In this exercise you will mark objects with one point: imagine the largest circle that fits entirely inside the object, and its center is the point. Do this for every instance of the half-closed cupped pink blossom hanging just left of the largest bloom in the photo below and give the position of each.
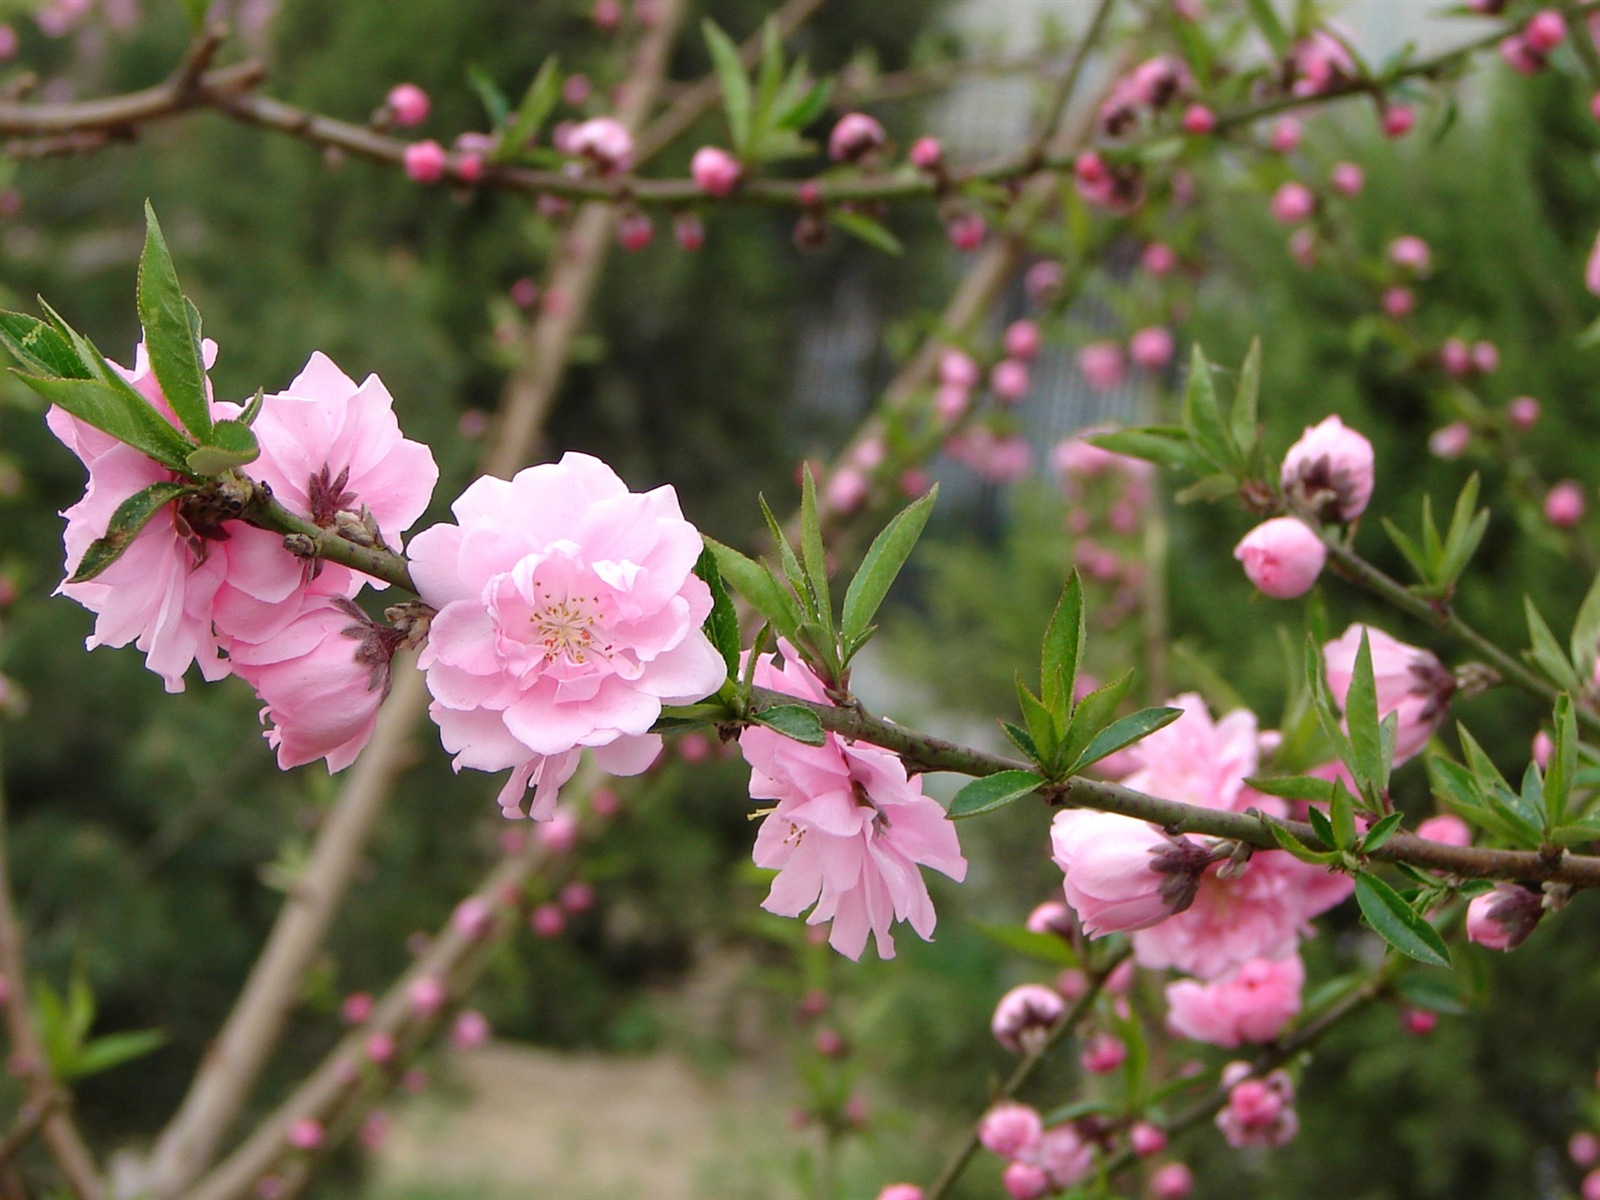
(322, 679)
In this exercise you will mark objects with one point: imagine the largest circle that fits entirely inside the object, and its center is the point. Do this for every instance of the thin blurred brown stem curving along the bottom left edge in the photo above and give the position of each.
(46, 1094)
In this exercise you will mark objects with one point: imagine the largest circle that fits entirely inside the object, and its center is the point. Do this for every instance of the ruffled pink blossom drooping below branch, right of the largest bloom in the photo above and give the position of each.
(849, 833)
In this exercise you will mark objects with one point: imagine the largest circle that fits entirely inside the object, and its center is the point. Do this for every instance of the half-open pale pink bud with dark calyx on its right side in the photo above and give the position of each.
(1124, 874)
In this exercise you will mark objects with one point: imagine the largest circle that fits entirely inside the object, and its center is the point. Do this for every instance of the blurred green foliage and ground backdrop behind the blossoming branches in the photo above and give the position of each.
(662, 1046)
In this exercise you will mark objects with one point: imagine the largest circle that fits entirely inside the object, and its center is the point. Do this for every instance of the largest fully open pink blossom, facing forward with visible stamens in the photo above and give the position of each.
(569, 614)
